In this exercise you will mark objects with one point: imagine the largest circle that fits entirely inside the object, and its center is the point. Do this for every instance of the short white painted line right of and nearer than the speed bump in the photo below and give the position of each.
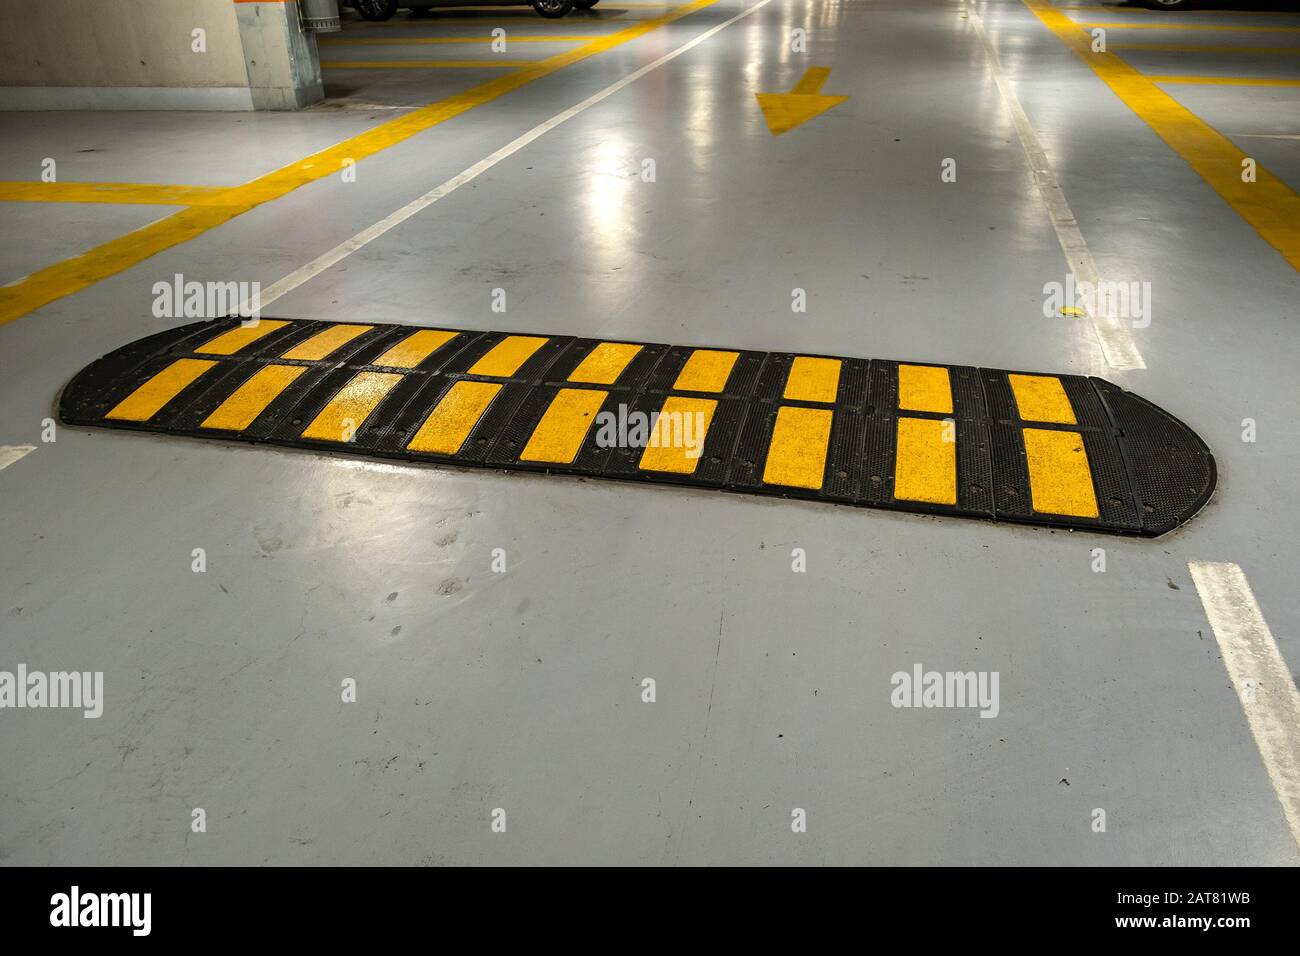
(1260, 676)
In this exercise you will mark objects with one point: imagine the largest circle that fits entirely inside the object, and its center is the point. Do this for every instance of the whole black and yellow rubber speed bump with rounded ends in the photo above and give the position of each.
(1059, 451)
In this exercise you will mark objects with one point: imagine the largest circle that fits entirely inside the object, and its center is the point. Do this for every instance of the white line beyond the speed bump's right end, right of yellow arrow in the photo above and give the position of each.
(1117, 341)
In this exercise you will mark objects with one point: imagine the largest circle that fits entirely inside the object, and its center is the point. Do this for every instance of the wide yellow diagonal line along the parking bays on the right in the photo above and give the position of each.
(1268, 205)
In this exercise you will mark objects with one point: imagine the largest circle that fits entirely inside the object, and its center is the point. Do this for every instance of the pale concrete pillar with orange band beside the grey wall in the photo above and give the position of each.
(284, 66)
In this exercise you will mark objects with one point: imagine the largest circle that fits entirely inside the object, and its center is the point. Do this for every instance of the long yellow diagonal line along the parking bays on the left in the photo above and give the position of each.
(76, 274)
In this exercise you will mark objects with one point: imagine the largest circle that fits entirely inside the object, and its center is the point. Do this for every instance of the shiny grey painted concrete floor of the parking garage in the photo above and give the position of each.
(523, 690)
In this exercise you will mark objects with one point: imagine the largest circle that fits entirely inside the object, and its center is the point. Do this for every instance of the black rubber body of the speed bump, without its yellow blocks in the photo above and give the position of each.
(1150, 471)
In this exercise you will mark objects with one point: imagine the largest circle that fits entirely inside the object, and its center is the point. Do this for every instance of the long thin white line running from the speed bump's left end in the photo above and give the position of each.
(367, 236)
